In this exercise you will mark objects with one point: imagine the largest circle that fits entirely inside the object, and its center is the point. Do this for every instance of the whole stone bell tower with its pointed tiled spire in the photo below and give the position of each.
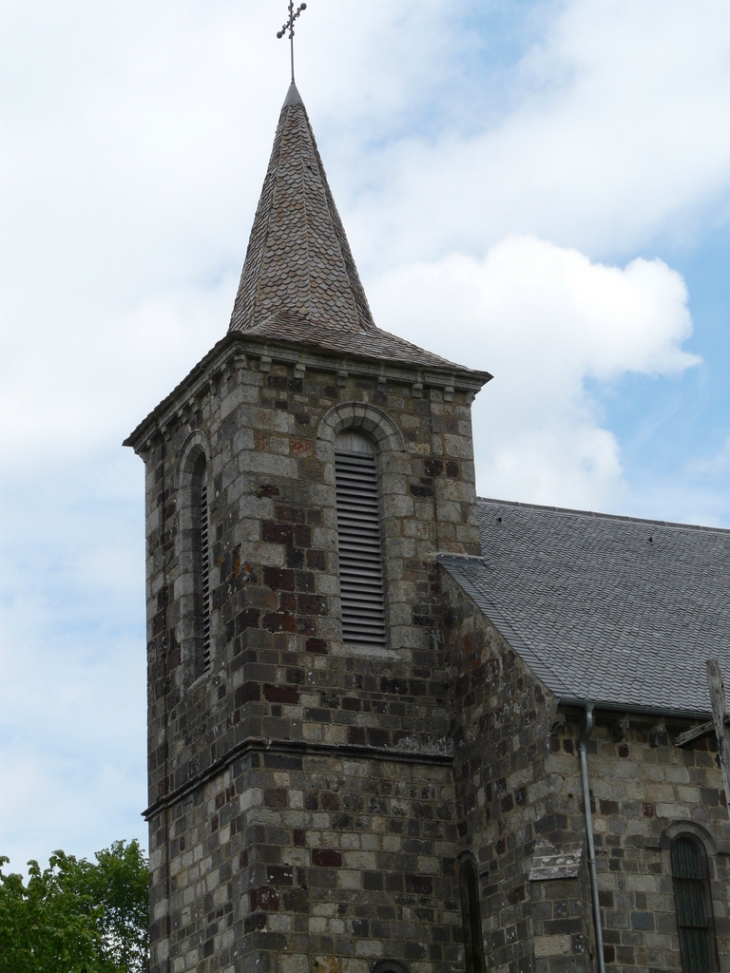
(301, 481)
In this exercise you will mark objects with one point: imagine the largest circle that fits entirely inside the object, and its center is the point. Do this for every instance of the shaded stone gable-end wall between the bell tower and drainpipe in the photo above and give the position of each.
(510, 801)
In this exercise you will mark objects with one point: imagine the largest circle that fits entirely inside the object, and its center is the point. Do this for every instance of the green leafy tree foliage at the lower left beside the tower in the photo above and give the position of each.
(77, 916)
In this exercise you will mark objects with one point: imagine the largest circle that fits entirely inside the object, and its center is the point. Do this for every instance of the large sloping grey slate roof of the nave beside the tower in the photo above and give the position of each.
(613, 610)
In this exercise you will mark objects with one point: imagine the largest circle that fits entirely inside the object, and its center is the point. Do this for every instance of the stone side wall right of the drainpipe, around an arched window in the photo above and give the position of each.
(644, 791)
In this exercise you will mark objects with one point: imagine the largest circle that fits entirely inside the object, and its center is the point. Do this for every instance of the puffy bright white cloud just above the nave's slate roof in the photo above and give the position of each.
(544, 320)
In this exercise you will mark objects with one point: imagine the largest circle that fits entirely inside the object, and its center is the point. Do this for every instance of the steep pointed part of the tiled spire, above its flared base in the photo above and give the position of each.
(299, 263)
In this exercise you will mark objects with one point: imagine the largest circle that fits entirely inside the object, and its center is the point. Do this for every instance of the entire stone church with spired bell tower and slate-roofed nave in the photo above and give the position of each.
(395, 727)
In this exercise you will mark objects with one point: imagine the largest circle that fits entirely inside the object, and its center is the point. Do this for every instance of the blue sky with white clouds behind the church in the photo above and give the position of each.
(538, 188)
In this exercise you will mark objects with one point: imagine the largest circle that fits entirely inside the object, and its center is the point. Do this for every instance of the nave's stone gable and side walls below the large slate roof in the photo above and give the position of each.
(519, 798)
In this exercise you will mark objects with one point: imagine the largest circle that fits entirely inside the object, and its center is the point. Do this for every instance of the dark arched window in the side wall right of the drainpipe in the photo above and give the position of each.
(694, 905)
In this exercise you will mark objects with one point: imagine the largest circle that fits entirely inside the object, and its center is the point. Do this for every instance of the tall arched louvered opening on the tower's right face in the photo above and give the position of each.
(359, 541)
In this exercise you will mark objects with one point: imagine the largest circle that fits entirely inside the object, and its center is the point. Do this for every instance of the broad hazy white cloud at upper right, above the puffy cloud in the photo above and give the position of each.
(612, 133)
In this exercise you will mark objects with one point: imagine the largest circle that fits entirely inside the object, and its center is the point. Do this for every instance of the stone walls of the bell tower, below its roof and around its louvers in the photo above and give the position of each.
(360, 847)
